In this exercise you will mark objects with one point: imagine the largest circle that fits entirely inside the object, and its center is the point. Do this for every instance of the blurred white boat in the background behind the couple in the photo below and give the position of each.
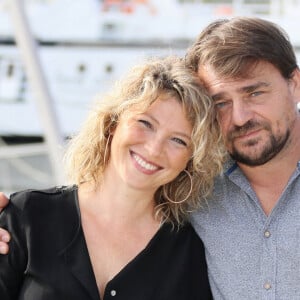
(87, 44)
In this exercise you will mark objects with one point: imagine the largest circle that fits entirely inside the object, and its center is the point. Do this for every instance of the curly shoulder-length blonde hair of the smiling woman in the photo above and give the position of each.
(89, 151)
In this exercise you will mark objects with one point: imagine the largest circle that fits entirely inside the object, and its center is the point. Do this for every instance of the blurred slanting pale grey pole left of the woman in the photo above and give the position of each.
(43, 100)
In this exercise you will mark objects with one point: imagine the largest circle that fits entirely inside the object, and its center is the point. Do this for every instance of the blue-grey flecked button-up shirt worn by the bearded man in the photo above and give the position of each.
(251, 255)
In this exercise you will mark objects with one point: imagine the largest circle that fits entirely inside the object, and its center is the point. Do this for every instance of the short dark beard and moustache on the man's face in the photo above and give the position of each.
(270, 149)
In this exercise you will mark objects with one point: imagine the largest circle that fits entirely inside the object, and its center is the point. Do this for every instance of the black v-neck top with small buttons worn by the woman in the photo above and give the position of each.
(48, 256)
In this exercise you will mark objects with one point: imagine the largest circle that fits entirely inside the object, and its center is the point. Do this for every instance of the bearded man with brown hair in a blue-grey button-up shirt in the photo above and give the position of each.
(251, 226)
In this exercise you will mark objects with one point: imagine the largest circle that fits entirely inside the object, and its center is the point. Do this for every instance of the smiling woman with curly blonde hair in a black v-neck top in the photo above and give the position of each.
(138, 166)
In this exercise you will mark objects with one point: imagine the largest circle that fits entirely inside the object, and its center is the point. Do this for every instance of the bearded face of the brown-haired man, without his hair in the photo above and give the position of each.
(256, 114)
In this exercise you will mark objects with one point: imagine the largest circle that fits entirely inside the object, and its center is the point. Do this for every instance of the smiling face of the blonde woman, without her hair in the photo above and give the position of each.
(150, 149)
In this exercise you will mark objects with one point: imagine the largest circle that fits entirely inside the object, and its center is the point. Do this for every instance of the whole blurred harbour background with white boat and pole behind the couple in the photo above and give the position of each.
(57, 55)
